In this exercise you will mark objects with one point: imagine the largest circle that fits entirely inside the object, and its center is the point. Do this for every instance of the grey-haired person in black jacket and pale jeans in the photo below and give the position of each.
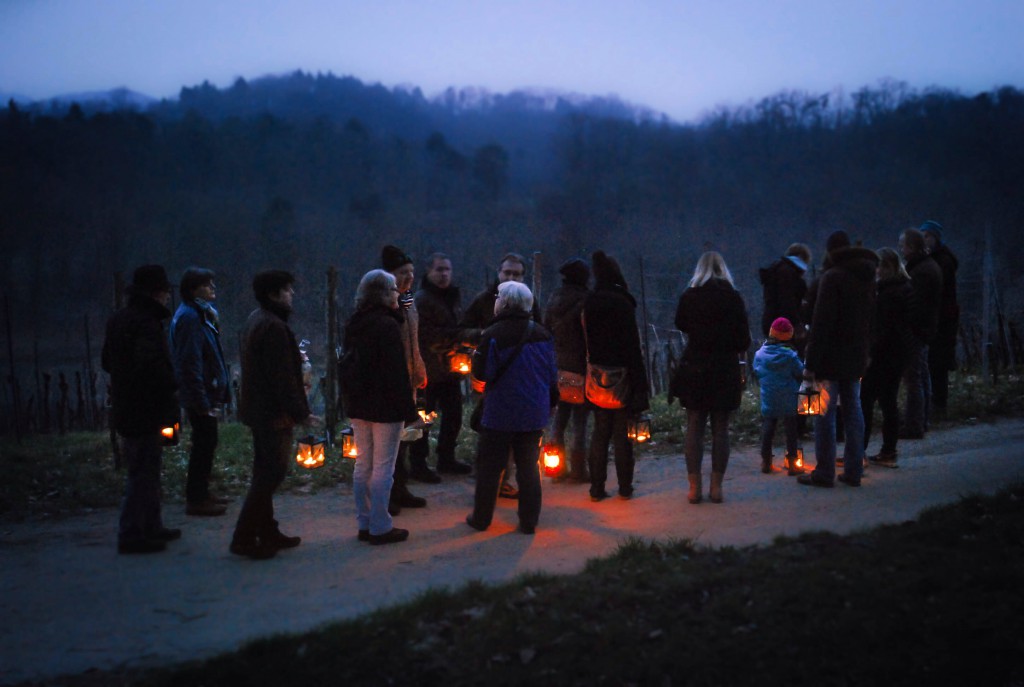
(380, 405)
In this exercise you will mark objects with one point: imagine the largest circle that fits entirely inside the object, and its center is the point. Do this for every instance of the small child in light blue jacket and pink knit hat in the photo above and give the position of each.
(780, 371)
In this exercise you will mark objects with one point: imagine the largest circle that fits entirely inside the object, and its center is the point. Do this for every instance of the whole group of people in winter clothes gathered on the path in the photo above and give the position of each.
(867, 323)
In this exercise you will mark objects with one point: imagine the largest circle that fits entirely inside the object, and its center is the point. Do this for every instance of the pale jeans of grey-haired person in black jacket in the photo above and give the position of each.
(378, 444)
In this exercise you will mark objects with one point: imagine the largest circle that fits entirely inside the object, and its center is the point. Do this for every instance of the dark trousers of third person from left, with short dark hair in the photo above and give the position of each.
(272, 456)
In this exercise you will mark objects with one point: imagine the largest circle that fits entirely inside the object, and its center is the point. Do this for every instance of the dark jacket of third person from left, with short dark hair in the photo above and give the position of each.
(273, 396)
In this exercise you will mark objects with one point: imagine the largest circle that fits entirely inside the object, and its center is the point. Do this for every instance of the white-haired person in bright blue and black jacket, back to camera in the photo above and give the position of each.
(522, 388)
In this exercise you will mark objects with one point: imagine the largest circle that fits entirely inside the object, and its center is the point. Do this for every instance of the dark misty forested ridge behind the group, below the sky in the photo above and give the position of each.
(303, 173)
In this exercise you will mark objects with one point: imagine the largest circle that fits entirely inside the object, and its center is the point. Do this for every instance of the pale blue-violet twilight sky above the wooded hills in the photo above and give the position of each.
(678, 57)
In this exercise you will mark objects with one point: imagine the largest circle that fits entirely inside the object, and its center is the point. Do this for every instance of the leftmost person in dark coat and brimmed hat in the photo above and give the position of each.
(143, 398)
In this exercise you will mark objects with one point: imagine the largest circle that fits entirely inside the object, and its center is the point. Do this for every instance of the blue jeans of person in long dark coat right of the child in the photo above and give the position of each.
(847, 393)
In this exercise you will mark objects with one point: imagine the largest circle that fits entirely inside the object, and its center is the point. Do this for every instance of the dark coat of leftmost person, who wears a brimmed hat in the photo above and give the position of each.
(137, 357)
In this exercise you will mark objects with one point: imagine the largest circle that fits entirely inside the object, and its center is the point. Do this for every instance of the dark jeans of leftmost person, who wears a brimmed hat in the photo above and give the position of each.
(141, 507)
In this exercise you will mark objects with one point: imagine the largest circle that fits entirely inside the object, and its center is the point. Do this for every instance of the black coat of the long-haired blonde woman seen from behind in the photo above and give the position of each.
(714, 319)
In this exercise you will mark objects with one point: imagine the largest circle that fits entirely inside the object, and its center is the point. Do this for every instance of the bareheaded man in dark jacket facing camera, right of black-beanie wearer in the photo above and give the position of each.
(439, 303)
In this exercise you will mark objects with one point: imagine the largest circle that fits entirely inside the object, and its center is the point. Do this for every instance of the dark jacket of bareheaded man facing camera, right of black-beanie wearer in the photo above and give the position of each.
(440, 332)
